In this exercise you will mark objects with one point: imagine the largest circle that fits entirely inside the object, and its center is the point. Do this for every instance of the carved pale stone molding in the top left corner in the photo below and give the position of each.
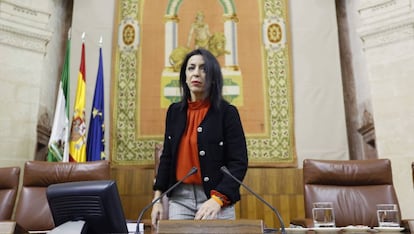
(24, 27)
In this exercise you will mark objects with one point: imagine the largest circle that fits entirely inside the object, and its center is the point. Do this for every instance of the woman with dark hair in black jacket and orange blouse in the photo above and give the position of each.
(203, 131)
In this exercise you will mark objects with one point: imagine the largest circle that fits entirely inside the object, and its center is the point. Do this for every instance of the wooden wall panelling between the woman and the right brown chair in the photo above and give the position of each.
(280, 187)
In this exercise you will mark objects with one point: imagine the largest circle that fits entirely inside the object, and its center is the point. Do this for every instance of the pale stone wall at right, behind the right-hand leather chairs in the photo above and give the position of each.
(387, 32)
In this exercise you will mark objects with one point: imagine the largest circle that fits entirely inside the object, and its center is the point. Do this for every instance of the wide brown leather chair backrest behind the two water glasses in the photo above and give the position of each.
(354, 187)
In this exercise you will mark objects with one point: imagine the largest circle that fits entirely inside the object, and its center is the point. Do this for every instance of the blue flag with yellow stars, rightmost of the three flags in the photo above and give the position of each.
(95, 147)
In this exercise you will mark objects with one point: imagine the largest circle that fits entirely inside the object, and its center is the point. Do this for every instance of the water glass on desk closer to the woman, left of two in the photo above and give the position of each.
(323, 214)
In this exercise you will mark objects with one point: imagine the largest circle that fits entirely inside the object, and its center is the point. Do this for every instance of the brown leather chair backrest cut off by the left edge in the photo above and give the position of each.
(9, 185)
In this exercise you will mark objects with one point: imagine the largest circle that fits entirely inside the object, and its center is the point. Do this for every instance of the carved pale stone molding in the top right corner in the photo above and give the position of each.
(385, 22)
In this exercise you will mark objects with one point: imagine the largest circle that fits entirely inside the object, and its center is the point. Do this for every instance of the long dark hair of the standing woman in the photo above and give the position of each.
(214, 77)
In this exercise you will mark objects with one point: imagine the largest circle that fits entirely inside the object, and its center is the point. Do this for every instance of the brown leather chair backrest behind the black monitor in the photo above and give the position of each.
(32, 211)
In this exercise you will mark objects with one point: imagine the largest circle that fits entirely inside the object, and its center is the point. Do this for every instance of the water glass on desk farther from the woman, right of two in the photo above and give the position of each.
(388, 215)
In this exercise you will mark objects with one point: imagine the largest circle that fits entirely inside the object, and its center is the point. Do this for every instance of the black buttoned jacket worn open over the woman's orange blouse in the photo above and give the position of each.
(221, 142)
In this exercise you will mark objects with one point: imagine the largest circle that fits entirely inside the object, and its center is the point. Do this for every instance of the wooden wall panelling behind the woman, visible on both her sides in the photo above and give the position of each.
(280, 187)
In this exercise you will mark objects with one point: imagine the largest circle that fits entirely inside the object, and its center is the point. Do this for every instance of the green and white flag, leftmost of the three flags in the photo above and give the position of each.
(59, 137)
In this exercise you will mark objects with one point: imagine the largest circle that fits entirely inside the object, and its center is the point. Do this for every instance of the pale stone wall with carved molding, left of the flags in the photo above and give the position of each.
(31, 47)
